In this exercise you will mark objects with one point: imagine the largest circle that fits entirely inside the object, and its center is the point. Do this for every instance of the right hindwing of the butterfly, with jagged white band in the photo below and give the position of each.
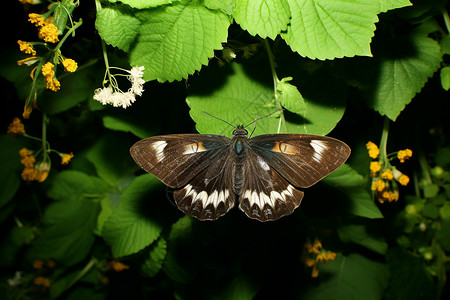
(265, 195)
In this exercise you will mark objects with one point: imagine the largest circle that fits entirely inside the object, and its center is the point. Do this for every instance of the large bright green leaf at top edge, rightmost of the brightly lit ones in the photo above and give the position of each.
(328, 29)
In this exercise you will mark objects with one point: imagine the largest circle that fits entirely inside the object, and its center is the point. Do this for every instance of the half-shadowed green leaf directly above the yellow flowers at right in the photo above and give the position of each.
(399, 71)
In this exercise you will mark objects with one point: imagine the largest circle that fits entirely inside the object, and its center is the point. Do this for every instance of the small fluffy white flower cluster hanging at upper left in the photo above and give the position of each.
(114, 96)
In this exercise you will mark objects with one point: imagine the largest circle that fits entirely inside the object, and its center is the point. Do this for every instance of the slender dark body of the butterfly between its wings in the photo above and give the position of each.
(239, 144)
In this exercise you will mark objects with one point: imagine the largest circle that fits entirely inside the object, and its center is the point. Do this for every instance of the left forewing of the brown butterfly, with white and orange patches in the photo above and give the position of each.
(176, 159)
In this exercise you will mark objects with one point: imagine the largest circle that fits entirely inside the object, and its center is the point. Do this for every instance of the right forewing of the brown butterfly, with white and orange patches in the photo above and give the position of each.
(302, 160)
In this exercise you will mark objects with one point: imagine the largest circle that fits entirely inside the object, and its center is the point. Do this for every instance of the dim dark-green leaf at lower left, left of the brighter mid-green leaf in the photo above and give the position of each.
(68, 235)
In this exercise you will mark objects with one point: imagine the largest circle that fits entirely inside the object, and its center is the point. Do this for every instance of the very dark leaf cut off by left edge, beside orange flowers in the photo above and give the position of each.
(11, 168)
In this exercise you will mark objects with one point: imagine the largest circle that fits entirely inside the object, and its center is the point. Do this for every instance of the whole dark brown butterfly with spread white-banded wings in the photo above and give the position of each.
(265, 172)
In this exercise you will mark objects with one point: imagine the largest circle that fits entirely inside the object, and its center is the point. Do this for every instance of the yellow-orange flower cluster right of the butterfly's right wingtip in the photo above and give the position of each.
(385, 176)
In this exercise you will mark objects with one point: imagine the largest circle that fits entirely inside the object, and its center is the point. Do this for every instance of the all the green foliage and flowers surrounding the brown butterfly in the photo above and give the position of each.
(81, 220)
